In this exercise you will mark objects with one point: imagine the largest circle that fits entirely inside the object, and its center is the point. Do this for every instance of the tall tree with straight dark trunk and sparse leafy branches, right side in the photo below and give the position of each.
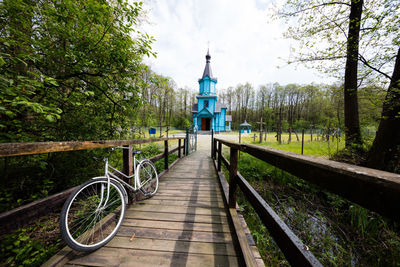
(345, 33)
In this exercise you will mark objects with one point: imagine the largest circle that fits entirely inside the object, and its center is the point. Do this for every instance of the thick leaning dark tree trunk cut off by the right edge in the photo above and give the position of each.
(385, 151)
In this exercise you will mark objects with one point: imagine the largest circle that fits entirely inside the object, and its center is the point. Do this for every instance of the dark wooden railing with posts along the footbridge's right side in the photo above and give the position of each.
(376, 190)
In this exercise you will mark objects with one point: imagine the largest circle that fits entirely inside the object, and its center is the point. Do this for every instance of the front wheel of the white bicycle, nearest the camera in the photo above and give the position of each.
(88, 220)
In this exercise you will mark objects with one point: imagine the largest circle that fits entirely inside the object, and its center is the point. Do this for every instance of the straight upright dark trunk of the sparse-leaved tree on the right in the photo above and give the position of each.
(351, 119)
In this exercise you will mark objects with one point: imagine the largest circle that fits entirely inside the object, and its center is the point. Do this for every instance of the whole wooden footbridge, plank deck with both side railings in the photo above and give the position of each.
(193, 220)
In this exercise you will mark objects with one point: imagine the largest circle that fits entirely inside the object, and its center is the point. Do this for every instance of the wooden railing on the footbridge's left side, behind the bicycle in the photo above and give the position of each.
(20, 216)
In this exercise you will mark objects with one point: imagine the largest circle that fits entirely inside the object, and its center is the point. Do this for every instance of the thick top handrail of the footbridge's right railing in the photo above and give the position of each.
(376, 190)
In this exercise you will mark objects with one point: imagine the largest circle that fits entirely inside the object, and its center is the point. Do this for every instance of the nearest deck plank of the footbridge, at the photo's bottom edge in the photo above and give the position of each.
(131, 257)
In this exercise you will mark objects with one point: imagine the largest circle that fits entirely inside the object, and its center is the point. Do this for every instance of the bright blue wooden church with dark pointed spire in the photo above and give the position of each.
(208, 113)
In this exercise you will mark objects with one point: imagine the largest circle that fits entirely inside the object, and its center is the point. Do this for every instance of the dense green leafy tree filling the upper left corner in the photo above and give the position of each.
(76, 75)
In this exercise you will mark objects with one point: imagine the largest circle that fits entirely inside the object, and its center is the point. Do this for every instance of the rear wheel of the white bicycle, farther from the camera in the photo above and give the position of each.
(148, 178)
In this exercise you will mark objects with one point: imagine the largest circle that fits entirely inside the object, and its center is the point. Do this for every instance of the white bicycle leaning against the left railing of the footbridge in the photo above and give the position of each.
(94, 212)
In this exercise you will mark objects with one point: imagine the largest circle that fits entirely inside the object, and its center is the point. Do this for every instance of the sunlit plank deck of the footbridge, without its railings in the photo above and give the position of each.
(184, 224)
